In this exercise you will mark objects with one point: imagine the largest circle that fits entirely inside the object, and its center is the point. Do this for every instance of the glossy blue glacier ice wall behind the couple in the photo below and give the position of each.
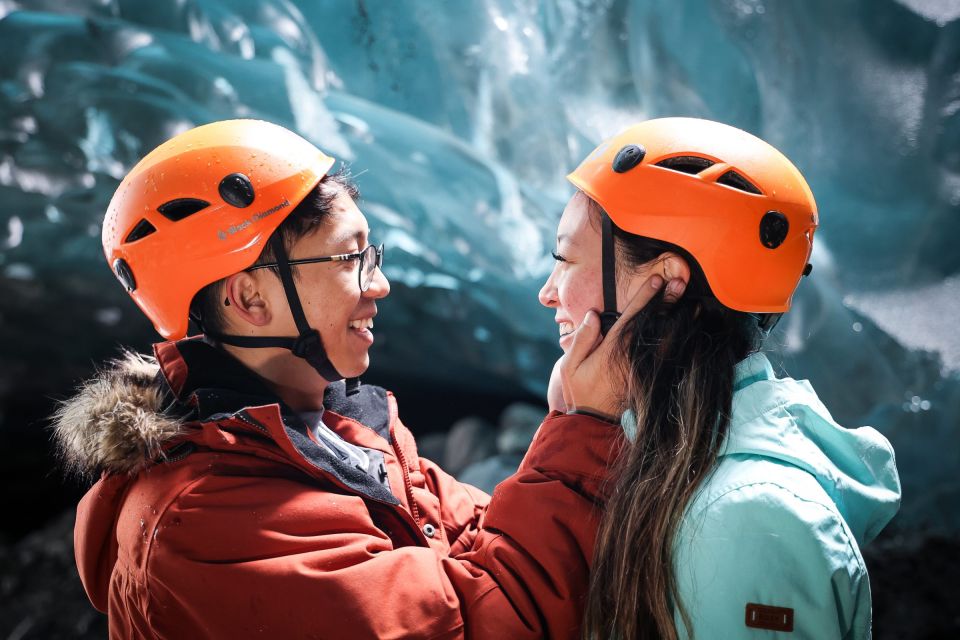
(460, 120)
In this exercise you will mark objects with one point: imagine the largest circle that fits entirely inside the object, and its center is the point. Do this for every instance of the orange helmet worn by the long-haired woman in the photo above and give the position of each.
(730, 199)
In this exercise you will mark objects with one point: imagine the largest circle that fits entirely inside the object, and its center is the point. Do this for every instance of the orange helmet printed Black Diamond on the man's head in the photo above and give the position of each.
(201, 207)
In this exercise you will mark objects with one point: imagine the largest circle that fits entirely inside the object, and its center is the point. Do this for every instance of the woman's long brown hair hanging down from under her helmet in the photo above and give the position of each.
(679, 361)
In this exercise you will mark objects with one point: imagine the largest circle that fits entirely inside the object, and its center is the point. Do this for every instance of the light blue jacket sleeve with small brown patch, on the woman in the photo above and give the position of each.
(761, 544)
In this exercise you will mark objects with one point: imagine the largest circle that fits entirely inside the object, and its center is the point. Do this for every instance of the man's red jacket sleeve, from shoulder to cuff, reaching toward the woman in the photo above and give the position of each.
(237, 557)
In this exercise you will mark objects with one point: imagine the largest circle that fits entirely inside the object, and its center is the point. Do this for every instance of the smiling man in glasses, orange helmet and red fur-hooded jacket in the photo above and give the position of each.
(245, 489)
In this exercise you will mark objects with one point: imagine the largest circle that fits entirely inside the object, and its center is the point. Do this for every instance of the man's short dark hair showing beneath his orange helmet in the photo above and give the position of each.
(206, 309)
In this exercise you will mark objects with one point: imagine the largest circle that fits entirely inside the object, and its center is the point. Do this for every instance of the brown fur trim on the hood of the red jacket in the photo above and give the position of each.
(115, 423)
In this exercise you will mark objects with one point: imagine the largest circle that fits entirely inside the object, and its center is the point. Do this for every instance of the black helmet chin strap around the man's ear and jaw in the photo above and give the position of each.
(308, 345)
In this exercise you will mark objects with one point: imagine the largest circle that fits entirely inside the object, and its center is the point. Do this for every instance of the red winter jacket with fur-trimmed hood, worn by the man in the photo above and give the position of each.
(218, 515)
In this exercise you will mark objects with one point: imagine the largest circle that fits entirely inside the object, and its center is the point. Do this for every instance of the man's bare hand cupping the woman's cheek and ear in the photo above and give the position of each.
(588, 379)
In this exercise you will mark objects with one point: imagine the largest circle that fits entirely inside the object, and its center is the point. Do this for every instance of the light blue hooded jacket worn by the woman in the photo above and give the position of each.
(781, 520)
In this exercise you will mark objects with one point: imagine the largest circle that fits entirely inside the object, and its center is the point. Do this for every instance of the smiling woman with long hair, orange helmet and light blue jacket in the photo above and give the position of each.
(738, 504)
